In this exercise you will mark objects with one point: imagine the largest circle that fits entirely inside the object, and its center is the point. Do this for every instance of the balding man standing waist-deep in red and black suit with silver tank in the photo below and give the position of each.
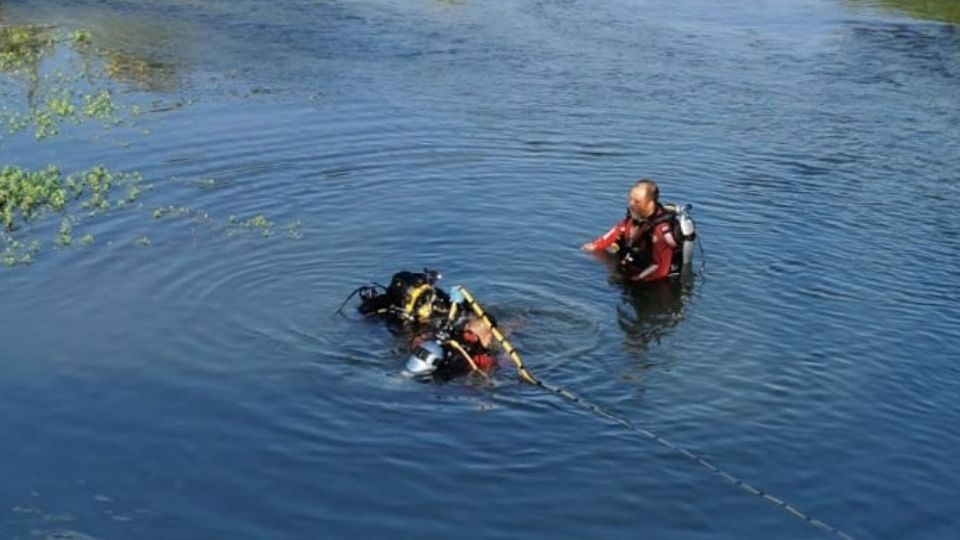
(654, 241)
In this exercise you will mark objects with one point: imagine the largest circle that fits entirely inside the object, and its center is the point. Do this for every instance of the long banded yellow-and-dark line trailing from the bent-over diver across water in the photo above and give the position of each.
(528, 377)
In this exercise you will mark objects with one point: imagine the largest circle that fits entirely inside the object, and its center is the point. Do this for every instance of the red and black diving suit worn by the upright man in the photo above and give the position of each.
(648, 249)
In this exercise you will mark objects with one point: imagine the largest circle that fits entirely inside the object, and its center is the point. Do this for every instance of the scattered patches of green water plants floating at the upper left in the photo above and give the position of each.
(77, 85)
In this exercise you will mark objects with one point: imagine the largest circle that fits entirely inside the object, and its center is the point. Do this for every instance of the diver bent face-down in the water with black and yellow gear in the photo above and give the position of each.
(449, 334)
